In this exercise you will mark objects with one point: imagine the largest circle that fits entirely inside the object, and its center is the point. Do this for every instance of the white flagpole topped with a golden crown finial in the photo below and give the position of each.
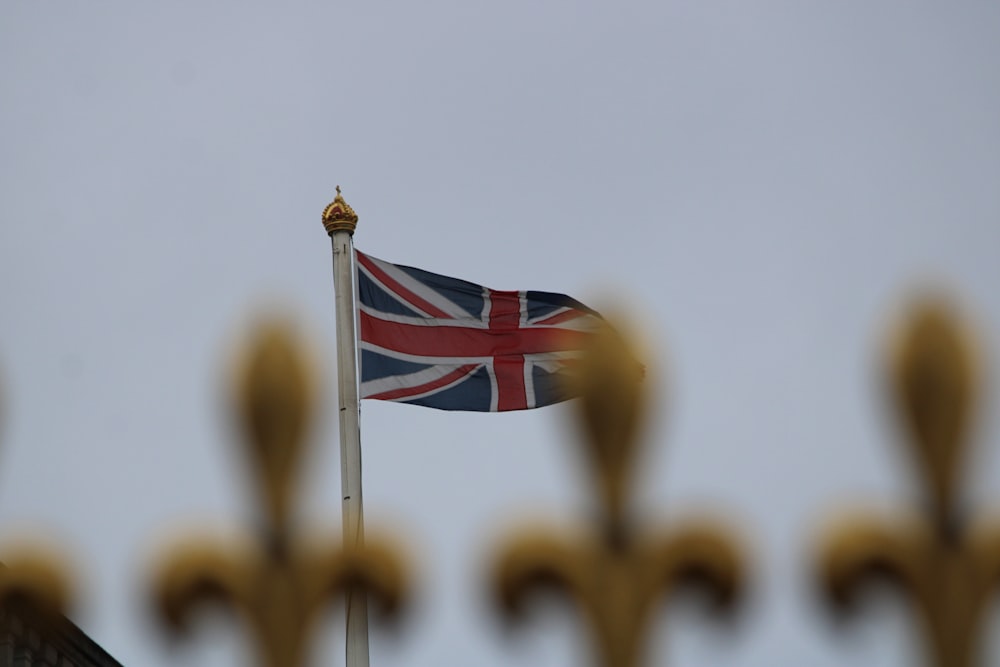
(340, 221)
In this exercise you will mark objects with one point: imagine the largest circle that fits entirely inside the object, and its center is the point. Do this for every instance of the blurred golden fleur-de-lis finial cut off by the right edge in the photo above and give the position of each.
(948, 566)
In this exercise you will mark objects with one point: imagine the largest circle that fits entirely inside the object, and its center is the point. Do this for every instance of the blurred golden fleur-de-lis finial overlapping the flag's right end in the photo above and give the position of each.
(616, 573)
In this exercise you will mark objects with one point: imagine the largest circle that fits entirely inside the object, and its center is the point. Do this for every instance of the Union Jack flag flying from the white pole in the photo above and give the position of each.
(449, 344)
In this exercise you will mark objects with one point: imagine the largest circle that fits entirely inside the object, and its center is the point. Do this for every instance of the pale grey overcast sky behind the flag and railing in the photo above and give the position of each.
(762, 183)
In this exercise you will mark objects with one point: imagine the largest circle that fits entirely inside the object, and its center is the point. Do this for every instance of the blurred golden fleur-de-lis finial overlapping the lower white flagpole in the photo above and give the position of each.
(281, 582)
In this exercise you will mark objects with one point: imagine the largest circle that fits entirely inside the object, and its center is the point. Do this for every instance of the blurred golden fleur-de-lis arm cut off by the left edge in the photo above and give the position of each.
(34, 582)
